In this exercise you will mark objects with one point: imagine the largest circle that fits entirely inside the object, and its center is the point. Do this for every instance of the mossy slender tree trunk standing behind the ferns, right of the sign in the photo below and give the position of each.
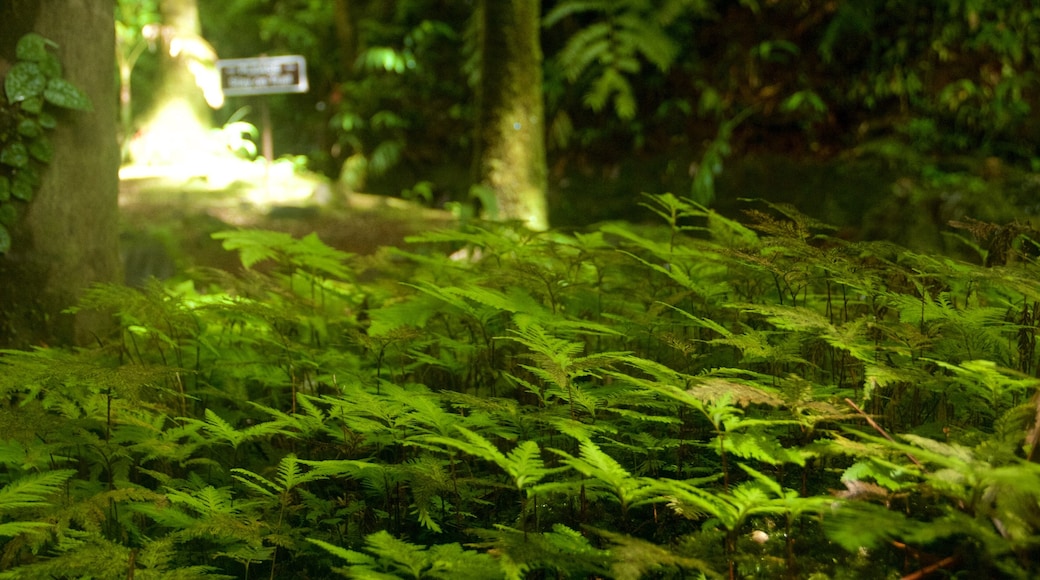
(510, 145)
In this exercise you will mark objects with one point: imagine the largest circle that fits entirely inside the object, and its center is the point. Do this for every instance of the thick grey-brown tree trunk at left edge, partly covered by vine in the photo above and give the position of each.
(68, 238)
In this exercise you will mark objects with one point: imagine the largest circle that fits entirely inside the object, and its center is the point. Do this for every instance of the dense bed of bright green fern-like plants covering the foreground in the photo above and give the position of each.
(701, 400)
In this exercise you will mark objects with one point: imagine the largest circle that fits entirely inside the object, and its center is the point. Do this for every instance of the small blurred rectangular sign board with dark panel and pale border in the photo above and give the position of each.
(266, 75)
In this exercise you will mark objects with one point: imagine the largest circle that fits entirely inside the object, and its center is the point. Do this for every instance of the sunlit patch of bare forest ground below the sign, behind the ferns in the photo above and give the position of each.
(168, 218)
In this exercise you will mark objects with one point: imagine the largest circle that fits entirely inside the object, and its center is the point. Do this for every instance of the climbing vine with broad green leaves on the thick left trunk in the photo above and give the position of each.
(33, 84)
